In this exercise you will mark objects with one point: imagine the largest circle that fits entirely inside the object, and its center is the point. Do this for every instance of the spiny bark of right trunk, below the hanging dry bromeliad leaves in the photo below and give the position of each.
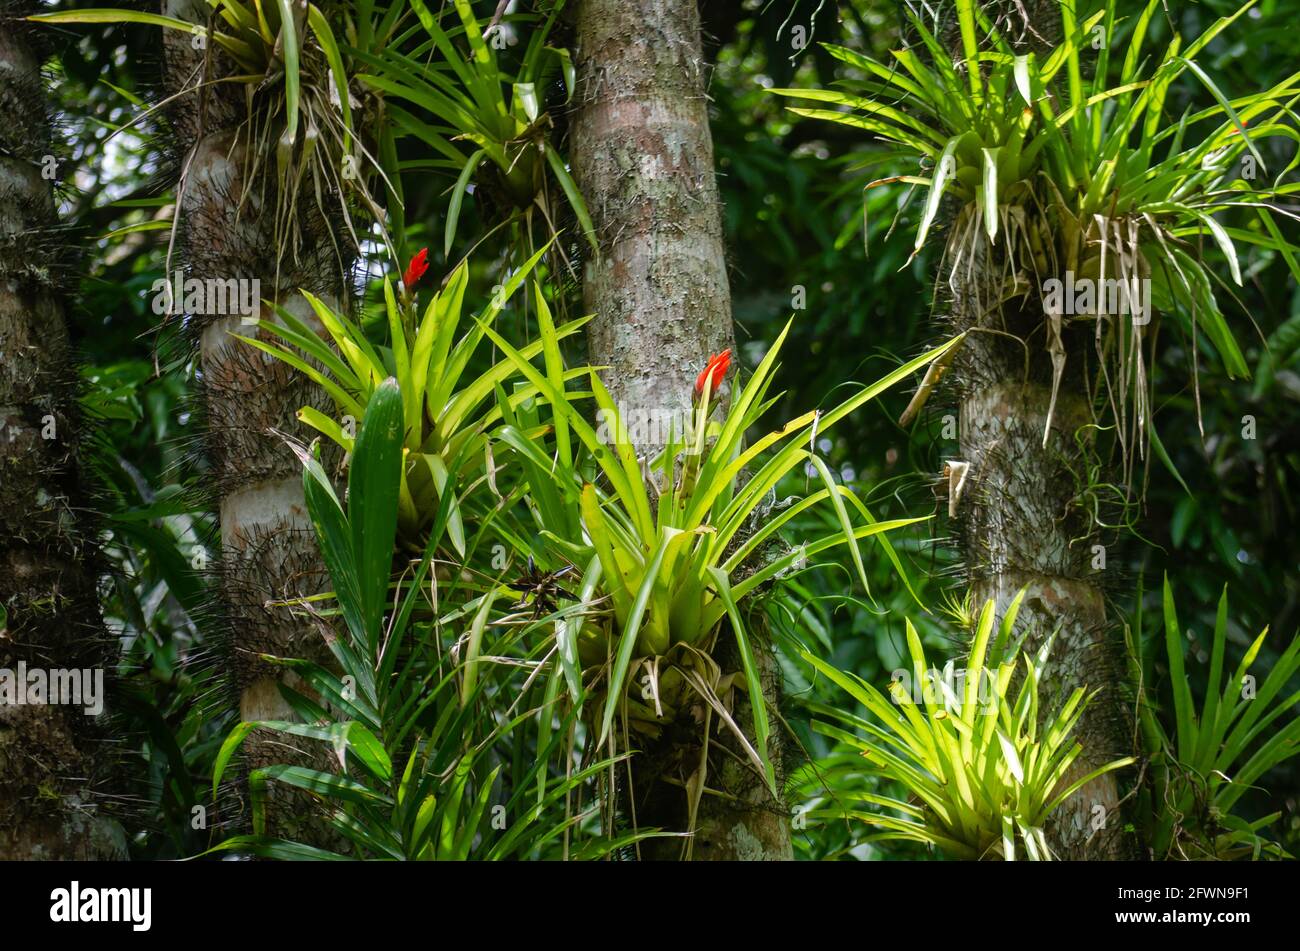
(1021, 528)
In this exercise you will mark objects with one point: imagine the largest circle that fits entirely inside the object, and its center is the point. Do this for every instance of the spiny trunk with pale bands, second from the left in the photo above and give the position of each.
(227, 211)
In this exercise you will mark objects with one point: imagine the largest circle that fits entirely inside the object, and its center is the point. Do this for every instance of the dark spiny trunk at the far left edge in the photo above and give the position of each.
(53, 757)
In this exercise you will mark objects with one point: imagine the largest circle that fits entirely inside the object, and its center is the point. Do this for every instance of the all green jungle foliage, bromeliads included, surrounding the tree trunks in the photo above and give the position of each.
(521, 606)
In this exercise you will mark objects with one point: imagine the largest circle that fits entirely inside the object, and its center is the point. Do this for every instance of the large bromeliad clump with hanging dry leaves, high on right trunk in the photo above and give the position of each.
(1059, 173)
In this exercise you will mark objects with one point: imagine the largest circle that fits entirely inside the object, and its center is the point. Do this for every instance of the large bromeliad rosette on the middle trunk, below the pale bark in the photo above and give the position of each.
(666, 550)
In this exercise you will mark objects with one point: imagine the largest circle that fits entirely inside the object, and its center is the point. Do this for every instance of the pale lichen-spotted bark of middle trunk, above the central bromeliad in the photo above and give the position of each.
(644, 157)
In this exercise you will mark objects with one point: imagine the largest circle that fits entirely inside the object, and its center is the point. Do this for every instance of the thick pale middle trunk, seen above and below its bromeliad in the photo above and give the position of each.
(643, 155)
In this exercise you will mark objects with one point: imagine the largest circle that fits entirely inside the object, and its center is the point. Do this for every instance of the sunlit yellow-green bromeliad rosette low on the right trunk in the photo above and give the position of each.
(983, 767)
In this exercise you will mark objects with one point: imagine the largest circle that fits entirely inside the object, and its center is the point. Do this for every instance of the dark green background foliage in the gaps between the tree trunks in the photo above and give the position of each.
(803, 237)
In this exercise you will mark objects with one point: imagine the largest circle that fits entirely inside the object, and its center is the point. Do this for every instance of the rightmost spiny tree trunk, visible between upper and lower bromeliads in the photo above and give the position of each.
(1021, 520)
